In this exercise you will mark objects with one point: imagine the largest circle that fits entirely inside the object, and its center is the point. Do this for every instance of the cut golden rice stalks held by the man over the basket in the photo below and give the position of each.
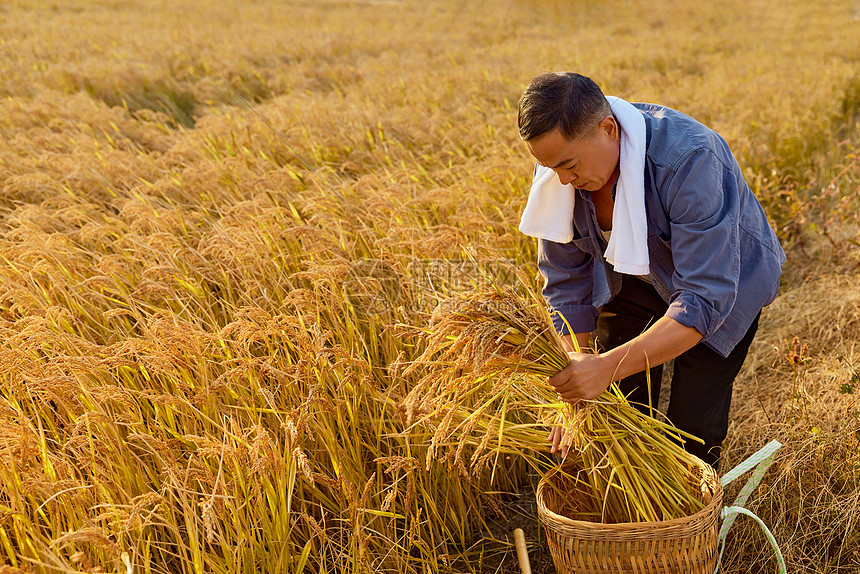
(626, 466)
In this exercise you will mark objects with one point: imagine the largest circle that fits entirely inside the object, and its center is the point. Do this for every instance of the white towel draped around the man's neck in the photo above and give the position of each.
(549, 209)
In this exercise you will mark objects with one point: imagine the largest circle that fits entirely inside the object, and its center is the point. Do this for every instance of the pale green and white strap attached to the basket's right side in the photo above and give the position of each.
(758, 463)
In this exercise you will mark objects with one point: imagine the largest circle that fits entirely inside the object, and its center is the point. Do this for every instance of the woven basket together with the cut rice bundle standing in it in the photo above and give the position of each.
(622, 467)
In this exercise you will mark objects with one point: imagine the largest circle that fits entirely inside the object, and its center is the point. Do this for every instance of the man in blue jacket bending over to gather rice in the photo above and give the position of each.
(650, 239)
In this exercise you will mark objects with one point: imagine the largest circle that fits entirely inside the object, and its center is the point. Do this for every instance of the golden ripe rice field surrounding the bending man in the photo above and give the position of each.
(223, 226)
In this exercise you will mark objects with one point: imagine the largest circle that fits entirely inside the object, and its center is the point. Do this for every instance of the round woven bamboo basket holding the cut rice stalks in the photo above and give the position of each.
(685, 545)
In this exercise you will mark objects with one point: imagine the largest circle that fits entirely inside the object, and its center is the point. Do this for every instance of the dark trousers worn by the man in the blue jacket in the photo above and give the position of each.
(701, 392)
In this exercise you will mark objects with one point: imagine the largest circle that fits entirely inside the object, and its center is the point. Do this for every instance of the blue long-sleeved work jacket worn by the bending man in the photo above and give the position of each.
(714, 258)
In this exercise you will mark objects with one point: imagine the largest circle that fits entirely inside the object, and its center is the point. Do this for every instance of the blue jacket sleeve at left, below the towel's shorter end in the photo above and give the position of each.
(568, 285)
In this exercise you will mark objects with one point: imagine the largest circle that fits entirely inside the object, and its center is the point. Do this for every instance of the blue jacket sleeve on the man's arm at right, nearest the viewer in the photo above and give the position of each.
(703, 207)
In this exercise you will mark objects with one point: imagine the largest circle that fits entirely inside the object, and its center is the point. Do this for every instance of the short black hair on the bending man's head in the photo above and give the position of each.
(571, 102)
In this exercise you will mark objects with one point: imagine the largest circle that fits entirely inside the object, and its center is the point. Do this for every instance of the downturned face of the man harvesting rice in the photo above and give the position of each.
(587, 163)
